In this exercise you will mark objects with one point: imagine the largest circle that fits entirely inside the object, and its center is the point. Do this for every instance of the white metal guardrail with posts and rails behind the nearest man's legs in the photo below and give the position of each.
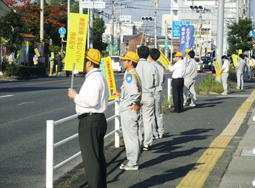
(50, 124)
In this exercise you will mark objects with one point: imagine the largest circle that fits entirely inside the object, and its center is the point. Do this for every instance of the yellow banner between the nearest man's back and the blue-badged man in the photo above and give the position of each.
(107, 72)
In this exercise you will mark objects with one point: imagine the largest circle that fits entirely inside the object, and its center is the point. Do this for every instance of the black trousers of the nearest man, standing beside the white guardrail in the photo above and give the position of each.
(92, 129)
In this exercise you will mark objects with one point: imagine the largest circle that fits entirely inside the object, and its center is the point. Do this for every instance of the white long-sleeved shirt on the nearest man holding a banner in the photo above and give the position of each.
(93, 95)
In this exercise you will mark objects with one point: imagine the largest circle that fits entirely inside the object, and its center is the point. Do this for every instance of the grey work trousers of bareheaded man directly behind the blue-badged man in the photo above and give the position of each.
(146, 120)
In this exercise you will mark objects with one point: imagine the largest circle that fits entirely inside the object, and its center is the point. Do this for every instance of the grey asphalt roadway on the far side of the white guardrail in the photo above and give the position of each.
(24, 108)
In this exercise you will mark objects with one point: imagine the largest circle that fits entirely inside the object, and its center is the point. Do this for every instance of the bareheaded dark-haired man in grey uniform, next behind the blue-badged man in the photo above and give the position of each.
(149, 76)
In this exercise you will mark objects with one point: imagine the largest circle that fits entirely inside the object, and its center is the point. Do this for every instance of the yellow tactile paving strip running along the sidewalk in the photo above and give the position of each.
(199, 173)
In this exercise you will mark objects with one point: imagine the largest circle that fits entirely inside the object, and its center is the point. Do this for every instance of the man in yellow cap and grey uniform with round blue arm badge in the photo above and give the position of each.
(129, 110)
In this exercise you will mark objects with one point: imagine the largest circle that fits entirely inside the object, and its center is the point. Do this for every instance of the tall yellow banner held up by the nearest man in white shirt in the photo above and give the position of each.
(76, 41)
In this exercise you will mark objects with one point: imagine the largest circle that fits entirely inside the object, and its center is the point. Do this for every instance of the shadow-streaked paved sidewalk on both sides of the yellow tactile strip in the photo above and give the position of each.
(187, 136)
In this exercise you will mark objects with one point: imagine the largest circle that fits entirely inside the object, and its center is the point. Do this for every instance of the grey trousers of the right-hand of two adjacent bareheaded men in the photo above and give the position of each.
(158, 126)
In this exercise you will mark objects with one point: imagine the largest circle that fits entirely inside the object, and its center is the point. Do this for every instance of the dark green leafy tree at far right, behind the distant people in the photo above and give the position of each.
(239, 35)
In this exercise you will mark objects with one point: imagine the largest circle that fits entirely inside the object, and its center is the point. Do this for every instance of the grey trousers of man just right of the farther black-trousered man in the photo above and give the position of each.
(189, 85)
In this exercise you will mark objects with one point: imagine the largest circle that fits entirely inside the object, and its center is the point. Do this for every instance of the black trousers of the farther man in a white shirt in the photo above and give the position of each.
(178, 84)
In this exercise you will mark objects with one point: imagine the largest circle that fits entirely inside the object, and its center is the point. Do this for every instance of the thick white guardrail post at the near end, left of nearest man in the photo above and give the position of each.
(49, 153)
